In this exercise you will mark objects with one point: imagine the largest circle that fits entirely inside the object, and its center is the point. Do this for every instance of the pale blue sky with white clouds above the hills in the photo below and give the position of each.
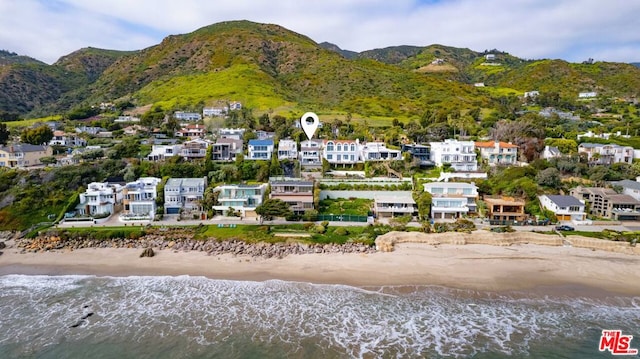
(574, 30)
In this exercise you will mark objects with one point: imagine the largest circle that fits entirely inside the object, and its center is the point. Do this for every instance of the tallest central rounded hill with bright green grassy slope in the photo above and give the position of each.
(267, 66)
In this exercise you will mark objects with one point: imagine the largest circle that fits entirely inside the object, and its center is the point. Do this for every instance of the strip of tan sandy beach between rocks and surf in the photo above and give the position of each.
(470, 266)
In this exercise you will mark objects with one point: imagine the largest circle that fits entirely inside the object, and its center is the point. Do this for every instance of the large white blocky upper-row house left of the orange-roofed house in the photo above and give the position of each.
(460, 155)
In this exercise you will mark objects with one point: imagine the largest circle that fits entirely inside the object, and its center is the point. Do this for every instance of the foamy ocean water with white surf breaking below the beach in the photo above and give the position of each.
(196, 317)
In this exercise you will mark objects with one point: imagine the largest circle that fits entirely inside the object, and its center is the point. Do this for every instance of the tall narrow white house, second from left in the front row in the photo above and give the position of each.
(139, 199)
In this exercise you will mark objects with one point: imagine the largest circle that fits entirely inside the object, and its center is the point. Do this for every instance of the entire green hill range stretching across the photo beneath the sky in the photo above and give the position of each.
(268, 67)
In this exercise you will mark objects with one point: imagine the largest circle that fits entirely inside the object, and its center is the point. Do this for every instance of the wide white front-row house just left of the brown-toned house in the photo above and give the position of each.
(242, 198)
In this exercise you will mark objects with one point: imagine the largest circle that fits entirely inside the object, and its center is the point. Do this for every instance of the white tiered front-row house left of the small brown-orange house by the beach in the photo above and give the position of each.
(452, 199)
